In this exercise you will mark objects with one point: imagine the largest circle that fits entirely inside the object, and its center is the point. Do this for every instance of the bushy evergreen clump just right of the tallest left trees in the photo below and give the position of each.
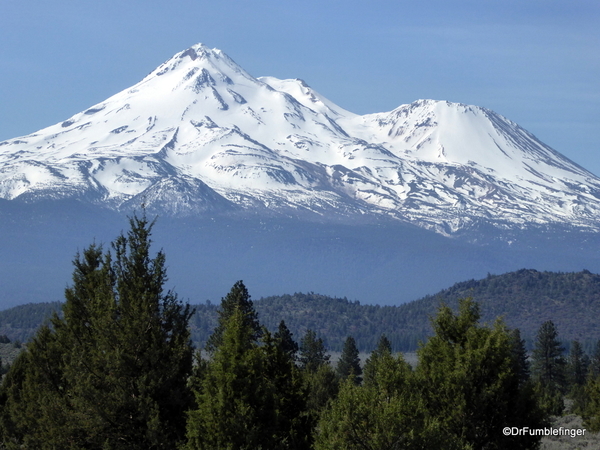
(250, 394)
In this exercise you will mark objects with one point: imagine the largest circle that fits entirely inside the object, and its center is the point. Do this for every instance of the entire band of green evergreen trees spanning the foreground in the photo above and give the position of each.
(118, 370)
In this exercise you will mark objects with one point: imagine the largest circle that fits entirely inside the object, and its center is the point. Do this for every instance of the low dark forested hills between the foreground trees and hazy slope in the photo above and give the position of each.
(525, 299)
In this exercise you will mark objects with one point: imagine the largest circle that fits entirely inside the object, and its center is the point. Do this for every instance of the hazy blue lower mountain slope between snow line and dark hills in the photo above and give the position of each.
(377, 263)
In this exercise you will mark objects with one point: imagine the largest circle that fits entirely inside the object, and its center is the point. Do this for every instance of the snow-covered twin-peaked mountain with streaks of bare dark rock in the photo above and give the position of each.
(199, 136)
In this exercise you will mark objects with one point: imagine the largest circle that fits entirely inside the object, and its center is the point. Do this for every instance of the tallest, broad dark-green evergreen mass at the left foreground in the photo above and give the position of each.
(112, 373)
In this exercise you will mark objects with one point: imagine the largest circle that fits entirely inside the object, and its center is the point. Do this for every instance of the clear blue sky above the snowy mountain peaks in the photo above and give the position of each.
(536, 62)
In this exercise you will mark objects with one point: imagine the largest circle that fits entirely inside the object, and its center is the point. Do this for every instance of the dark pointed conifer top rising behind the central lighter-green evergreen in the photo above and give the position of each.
(237, 298)
